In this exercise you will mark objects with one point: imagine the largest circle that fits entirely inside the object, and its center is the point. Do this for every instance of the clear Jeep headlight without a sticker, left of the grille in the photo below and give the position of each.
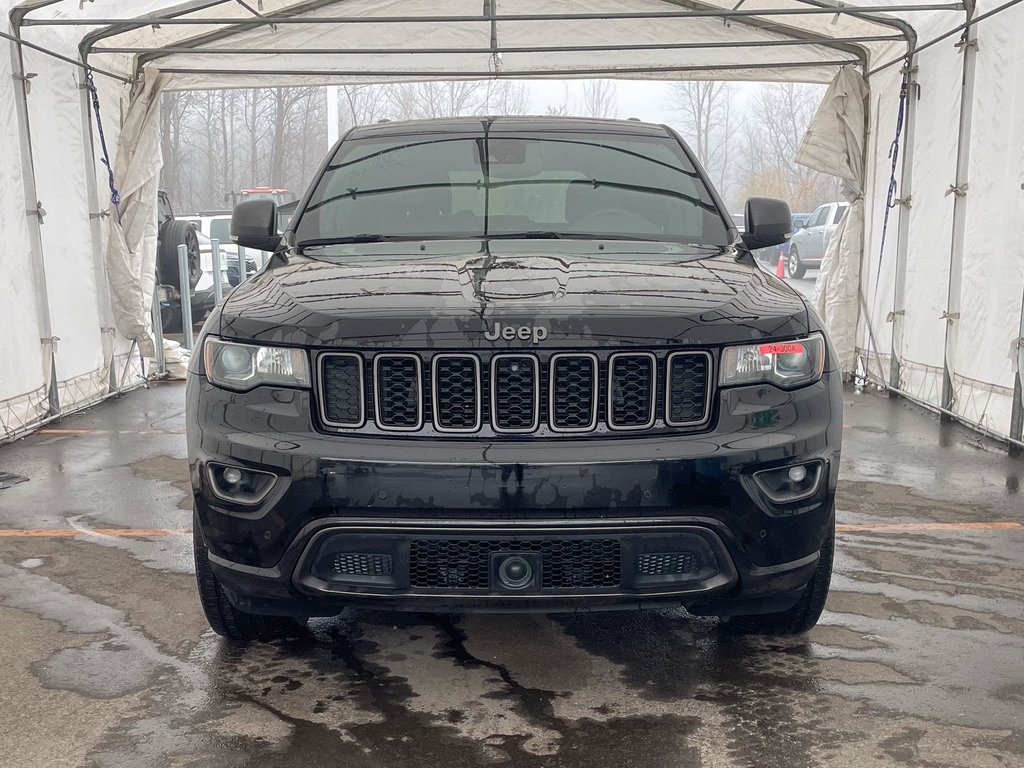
(243, 367)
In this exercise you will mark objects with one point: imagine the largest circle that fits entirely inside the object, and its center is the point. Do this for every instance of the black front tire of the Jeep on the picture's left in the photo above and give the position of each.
(225, 619)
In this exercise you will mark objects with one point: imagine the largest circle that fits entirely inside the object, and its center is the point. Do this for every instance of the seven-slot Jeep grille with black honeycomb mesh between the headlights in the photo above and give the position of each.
(557, 394)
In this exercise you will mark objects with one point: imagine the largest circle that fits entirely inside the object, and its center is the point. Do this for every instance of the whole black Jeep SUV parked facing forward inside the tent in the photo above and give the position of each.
(505, 364)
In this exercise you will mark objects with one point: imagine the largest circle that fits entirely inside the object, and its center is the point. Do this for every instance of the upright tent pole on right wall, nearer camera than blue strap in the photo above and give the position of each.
(969, 50)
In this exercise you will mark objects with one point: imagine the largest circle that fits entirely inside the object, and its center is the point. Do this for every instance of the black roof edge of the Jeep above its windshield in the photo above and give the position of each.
(540, 123)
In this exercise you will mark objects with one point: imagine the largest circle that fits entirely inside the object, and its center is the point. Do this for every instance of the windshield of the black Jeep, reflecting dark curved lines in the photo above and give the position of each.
(543, 185)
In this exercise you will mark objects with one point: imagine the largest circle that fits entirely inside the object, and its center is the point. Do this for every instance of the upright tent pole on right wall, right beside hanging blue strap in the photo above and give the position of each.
(904, 231)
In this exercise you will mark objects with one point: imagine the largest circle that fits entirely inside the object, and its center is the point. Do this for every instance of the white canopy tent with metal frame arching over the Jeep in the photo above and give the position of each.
(923, 289)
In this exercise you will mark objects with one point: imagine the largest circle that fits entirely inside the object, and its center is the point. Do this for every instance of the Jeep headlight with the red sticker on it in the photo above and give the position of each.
(786, 364)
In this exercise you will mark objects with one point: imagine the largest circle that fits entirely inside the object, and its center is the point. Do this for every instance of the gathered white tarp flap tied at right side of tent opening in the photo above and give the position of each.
(835, 145)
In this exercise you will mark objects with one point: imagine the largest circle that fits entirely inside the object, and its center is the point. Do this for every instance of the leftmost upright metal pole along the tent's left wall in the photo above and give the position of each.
(35, 230)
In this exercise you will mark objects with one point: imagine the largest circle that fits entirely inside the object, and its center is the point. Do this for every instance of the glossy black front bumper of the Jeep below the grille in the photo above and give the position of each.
(381, 496)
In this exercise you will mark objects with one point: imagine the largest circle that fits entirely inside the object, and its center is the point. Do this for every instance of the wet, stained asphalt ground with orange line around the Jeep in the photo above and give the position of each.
(107, 660)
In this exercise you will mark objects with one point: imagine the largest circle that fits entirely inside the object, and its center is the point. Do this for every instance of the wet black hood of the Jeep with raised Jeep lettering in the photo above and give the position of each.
(450, 294)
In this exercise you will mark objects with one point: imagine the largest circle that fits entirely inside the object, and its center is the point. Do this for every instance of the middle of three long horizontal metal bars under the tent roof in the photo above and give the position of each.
(170, 51)
